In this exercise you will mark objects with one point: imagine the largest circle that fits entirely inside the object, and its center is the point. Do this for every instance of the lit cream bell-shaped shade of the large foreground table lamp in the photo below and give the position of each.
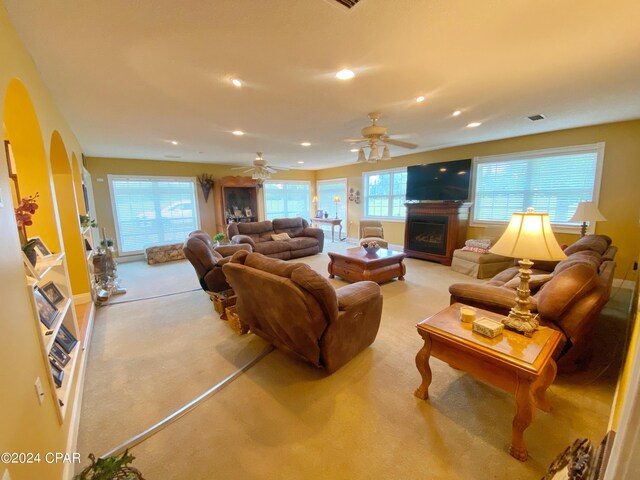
(529, 235)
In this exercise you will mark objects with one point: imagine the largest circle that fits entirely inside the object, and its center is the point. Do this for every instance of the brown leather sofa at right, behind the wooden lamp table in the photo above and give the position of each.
(568, 295)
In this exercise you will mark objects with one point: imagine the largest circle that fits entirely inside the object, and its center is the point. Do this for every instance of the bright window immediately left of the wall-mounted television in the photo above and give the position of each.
(384, 193)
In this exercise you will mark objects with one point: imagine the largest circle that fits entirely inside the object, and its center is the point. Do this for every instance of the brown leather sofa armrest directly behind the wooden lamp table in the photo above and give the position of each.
(490, 297)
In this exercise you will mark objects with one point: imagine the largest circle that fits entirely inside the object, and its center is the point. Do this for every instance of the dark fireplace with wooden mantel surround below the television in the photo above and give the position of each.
(434, 230)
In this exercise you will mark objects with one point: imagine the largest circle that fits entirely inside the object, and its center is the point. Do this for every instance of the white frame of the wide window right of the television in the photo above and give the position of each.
(599, 149)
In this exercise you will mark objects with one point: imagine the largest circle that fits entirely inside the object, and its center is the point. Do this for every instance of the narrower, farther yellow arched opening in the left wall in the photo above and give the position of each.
(67, 204)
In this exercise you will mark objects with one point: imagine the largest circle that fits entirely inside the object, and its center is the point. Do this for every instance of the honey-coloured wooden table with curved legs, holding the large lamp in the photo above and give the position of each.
(517, 364)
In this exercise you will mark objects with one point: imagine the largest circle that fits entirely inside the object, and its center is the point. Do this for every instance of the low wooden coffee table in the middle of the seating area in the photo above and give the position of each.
(355, 264)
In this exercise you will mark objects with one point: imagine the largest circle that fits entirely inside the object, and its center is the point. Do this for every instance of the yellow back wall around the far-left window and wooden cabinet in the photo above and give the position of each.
(101, 167)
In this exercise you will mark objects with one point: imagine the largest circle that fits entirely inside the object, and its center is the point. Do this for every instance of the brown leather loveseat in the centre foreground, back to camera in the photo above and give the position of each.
(298, 311)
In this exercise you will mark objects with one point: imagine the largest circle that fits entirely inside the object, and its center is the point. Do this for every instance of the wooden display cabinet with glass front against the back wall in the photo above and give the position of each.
(236, 201)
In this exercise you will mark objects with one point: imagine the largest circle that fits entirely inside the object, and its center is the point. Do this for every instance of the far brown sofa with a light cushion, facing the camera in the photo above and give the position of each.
(304, 240)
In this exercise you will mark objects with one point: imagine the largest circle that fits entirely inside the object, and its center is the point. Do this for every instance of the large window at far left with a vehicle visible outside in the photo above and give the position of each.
(152, 210)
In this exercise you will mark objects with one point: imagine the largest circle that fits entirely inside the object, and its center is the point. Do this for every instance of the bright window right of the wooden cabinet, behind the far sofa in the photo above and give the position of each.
(286, 199)
